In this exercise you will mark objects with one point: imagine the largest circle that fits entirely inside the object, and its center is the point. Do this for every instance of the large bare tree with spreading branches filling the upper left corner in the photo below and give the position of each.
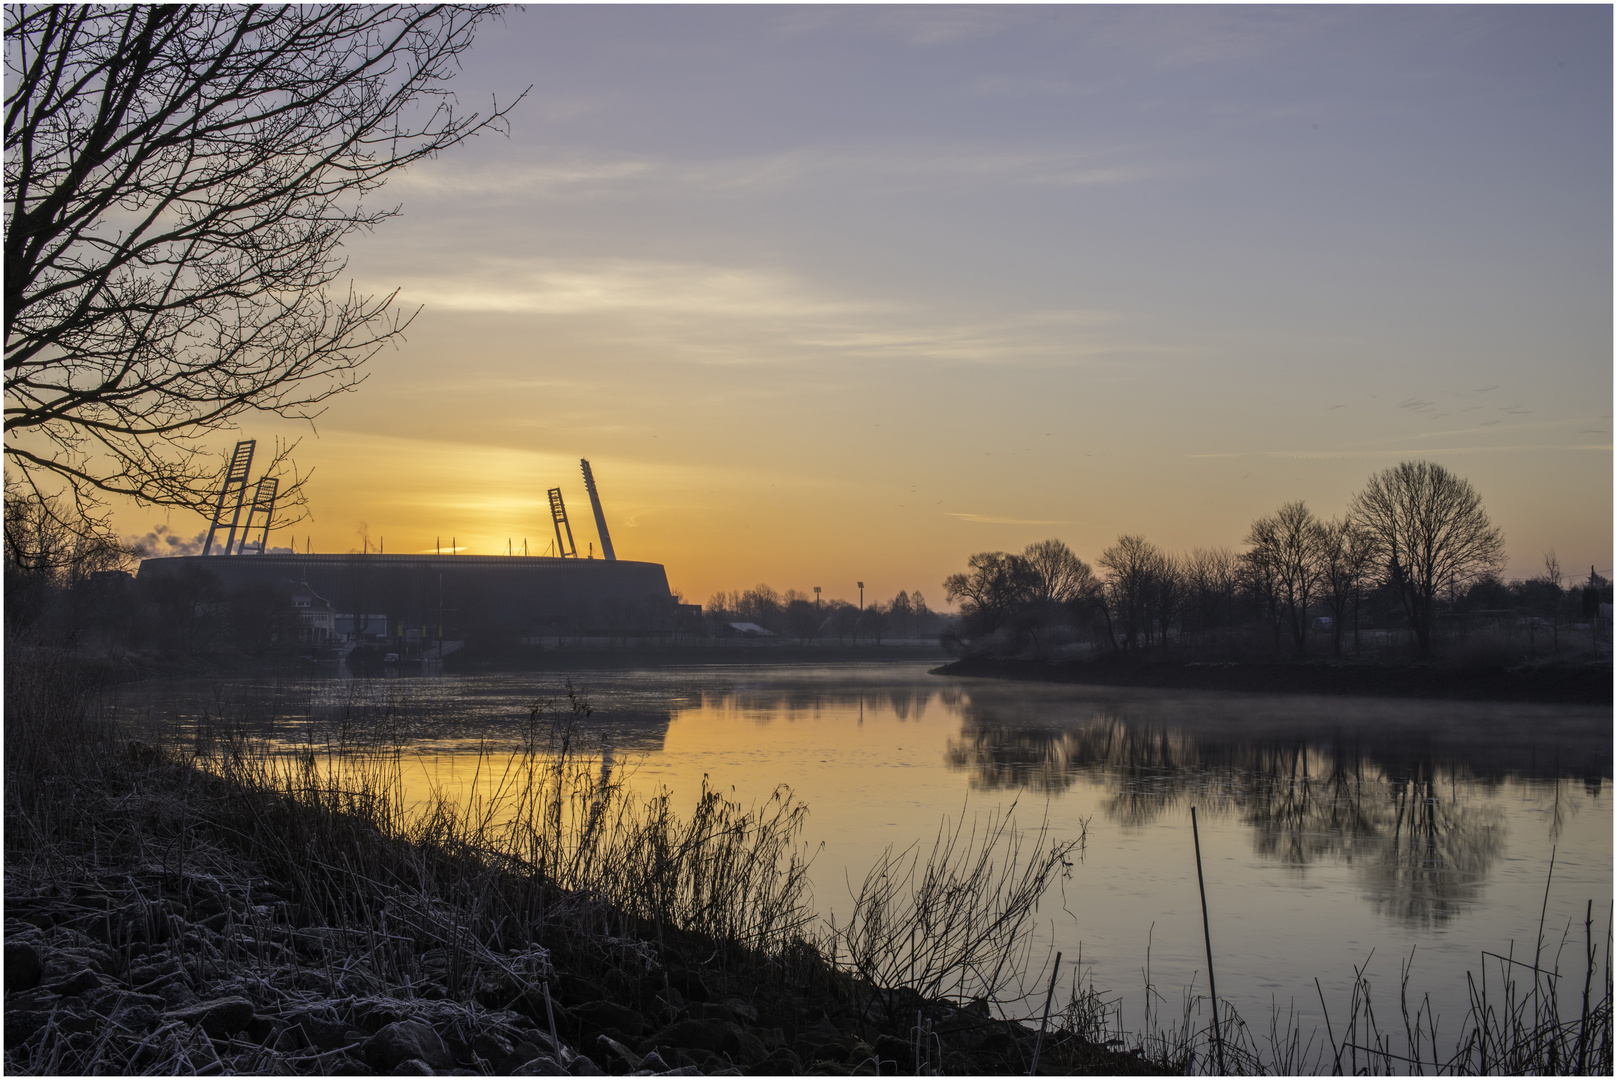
(179, 185)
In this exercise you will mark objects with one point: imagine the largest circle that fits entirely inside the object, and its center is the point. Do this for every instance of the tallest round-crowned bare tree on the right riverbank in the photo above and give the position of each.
(1430, 533)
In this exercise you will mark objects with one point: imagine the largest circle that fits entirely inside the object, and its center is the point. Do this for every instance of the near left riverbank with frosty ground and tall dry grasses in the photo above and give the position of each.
(211, 909)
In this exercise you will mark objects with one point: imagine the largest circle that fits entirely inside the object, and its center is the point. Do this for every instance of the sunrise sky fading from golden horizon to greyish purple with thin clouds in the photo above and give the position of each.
(848, 293)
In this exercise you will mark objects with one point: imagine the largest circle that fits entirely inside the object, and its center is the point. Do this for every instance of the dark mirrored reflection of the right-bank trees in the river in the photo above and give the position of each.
(1419, 851)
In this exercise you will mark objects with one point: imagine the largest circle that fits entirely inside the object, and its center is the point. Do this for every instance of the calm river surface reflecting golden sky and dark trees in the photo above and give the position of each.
(1335, 832)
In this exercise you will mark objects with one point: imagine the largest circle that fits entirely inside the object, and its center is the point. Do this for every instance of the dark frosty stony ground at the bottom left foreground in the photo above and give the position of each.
(143, 969)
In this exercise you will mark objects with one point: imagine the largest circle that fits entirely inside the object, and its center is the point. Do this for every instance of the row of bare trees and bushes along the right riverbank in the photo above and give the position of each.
(1416, 546)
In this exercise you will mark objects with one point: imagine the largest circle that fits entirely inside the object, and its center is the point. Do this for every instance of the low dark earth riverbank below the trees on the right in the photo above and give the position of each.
(1545, 683)
